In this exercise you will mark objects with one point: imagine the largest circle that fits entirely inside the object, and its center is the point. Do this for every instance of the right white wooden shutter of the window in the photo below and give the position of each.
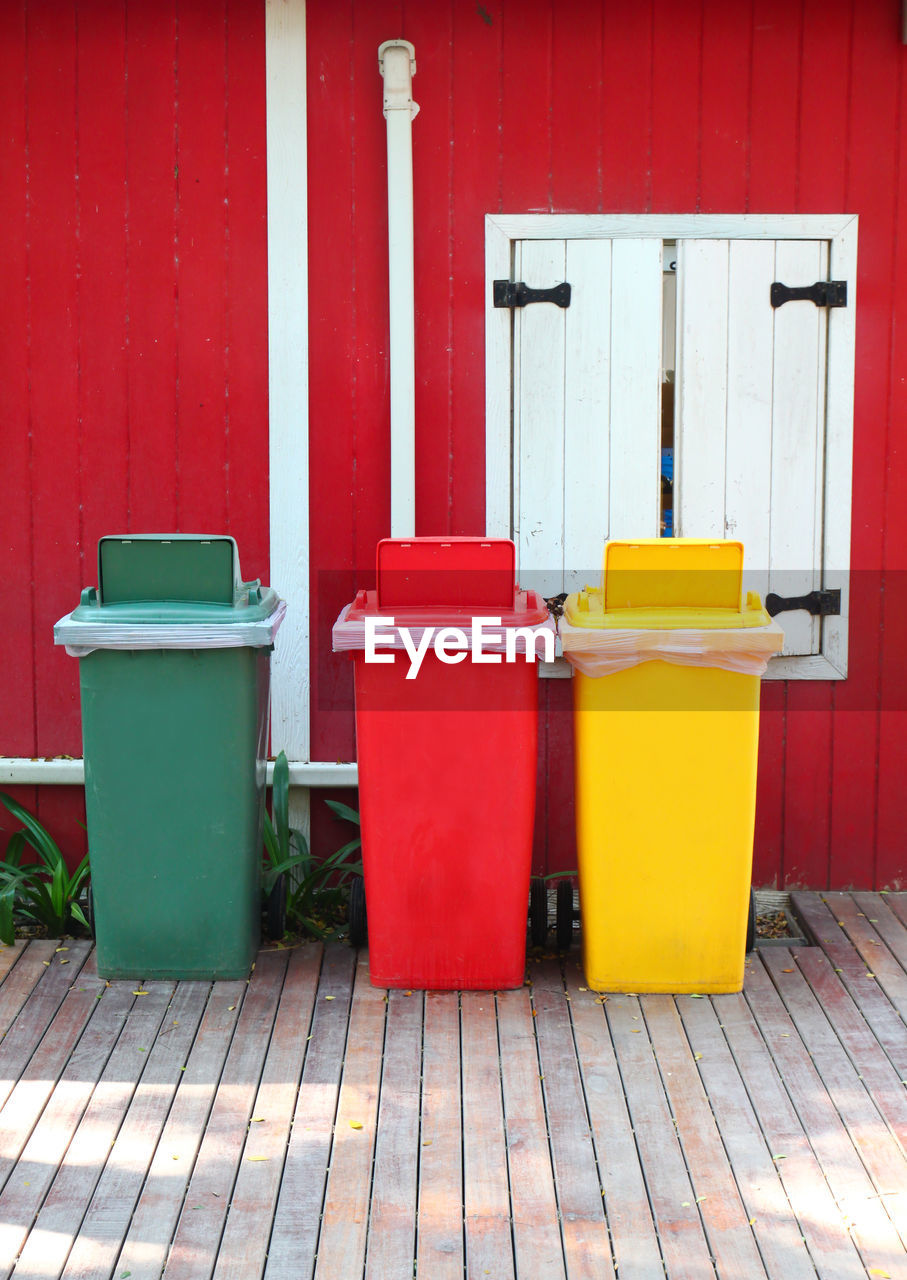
(752, 414)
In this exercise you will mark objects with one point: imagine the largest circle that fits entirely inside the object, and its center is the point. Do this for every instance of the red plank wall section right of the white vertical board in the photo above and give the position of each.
(587, 107)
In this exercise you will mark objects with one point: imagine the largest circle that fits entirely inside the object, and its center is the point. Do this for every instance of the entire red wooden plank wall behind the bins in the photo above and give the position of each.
(134, 358)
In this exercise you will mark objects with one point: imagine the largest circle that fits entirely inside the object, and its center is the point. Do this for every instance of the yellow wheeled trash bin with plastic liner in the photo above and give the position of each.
(668, 661)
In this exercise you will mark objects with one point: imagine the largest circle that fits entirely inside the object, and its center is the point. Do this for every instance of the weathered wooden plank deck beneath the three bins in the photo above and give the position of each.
(306, 1123)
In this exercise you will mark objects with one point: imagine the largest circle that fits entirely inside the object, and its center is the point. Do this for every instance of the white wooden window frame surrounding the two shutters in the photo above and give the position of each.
(840, 230)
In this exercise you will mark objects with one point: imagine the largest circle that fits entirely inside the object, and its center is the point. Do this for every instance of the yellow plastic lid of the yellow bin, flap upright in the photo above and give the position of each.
(668, 583)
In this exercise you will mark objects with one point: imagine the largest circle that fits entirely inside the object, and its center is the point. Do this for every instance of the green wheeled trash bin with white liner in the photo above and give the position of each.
(175, 670)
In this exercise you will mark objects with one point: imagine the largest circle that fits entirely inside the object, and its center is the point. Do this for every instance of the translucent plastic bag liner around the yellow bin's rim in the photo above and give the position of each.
(604, 651)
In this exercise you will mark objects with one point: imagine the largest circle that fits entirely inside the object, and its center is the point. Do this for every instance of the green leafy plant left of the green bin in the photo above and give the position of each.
(43, 892)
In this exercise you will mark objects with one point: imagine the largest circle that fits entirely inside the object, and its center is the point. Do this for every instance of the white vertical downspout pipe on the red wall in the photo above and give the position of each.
(397, 65)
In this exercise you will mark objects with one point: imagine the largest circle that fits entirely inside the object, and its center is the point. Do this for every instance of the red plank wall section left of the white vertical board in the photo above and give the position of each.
(134, 326)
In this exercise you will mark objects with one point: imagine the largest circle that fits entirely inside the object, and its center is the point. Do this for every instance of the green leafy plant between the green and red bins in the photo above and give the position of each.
(318, 889)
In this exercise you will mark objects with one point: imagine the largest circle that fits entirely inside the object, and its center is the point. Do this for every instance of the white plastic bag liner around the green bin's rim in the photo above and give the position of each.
(85, 638)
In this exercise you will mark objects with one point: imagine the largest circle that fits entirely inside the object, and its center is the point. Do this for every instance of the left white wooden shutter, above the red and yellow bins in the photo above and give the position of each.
(587, 406)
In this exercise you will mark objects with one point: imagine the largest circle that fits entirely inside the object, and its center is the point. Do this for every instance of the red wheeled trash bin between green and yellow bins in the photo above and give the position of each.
(447, 761)
